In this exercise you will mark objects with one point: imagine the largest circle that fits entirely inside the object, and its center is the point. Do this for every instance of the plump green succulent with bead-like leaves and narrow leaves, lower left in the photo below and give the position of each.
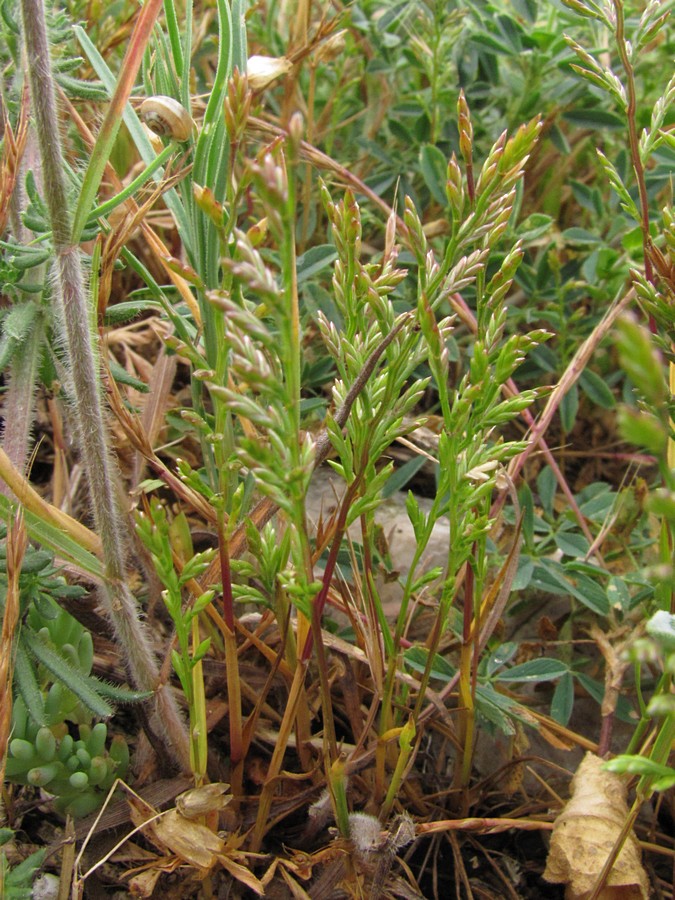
(54, 743)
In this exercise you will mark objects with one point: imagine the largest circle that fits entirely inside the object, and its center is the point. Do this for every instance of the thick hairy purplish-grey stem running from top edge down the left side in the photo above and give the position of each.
(73, 312)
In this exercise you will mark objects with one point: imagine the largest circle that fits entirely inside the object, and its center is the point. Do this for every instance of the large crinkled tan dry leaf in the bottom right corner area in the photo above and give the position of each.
(585, 833)
